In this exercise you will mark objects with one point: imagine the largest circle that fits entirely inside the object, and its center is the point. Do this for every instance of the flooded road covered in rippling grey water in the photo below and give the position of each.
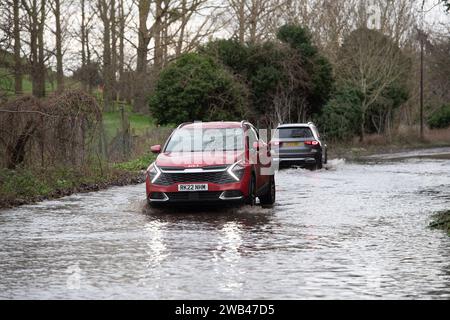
(356, 230)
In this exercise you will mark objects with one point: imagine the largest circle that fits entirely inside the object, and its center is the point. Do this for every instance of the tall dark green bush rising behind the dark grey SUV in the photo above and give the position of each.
(290, 69)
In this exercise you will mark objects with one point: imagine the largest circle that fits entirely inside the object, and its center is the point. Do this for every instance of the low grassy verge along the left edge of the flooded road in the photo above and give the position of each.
(24, 186)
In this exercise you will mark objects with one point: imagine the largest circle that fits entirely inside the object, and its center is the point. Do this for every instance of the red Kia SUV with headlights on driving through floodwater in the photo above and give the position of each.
(223, 162)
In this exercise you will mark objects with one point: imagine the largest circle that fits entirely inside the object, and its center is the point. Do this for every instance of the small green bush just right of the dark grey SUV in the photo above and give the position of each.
(341, 117)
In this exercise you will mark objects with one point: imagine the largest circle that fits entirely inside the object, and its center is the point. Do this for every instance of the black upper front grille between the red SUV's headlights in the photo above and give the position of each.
(167, 179)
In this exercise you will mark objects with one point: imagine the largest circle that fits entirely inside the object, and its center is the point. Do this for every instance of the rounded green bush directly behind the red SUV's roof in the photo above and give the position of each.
(196, 87)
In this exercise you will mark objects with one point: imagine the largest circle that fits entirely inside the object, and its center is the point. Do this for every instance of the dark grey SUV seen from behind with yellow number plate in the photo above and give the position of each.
(298, 144)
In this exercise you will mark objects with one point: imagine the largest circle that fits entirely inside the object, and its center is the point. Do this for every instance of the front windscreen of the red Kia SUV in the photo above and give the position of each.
(195, 140)
